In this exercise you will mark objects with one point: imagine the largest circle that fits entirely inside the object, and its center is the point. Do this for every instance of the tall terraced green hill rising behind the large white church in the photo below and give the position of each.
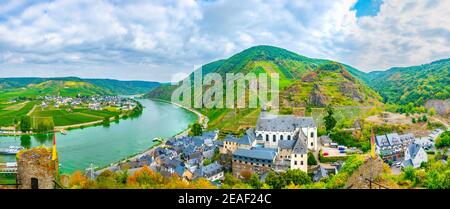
(304, 82)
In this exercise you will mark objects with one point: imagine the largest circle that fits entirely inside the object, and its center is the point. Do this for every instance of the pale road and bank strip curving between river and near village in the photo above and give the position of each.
(202, 119)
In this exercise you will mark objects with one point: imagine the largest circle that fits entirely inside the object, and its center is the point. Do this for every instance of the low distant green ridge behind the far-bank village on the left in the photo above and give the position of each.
(28, 87)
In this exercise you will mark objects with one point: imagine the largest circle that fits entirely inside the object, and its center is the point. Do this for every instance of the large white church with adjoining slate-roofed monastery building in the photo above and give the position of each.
(279, 142)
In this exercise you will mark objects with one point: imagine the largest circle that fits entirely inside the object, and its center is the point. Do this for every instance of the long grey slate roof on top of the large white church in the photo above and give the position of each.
(282, 123)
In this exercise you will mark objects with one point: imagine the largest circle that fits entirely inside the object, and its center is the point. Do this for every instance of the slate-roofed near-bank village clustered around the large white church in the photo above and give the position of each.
(278, 143)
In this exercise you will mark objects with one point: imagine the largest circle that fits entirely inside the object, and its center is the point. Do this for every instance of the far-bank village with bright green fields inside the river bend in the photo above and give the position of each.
(65, 112)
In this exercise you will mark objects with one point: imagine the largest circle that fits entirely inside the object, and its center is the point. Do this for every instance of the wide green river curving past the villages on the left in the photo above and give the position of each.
(103, 146)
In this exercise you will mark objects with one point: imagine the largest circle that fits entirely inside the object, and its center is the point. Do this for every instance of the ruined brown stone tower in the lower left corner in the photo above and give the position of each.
(36, 169)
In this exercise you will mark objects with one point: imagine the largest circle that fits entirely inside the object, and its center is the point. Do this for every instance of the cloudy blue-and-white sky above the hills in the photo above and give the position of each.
(155, 40)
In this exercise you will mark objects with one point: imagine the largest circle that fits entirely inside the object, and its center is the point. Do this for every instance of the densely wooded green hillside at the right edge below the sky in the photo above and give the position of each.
(416, 84)
